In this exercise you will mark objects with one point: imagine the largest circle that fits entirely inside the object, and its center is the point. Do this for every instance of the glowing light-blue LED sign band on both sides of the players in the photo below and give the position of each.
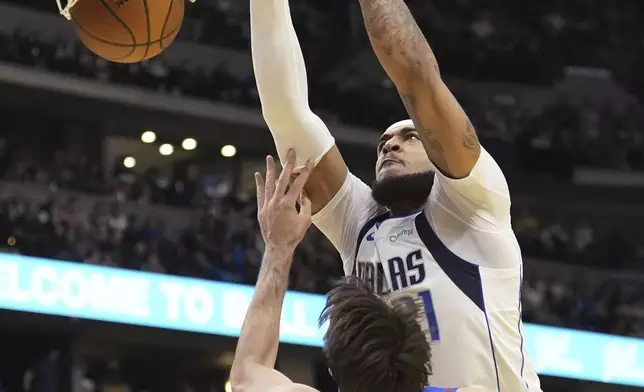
(164, 301)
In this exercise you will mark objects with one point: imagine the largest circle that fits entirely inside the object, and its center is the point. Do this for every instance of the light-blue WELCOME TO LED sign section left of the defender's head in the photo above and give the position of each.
(147, 299)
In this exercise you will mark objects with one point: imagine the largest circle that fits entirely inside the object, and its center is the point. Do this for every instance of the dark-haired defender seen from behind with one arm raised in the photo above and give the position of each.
(370, 345)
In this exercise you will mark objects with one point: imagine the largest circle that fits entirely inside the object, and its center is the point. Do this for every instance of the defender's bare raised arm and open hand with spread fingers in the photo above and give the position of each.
(283, 227)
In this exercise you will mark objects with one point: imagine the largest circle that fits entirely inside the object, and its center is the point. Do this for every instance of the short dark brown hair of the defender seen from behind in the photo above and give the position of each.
(371, 345)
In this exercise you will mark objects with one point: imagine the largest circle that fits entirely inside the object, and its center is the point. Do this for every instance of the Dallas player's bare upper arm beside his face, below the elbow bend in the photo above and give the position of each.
(447, 133)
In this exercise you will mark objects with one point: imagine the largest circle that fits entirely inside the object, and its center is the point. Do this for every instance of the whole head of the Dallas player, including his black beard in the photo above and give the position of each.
(404, 173)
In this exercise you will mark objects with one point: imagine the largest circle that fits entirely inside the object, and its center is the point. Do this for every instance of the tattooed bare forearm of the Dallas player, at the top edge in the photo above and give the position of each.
(398, 41)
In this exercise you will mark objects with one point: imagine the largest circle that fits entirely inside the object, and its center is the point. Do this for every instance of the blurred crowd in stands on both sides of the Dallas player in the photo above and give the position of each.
(56, 209)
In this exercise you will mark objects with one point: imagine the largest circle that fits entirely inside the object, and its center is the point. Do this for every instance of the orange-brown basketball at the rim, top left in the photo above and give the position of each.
(127, 31)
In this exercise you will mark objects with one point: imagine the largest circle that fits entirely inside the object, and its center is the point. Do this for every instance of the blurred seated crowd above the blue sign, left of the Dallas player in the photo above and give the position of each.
(217, 237)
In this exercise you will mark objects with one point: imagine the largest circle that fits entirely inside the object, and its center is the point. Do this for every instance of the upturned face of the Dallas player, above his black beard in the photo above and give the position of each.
(400, 153)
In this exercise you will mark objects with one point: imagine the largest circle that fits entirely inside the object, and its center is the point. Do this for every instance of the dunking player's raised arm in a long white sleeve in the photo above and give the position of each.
(280, 73)
